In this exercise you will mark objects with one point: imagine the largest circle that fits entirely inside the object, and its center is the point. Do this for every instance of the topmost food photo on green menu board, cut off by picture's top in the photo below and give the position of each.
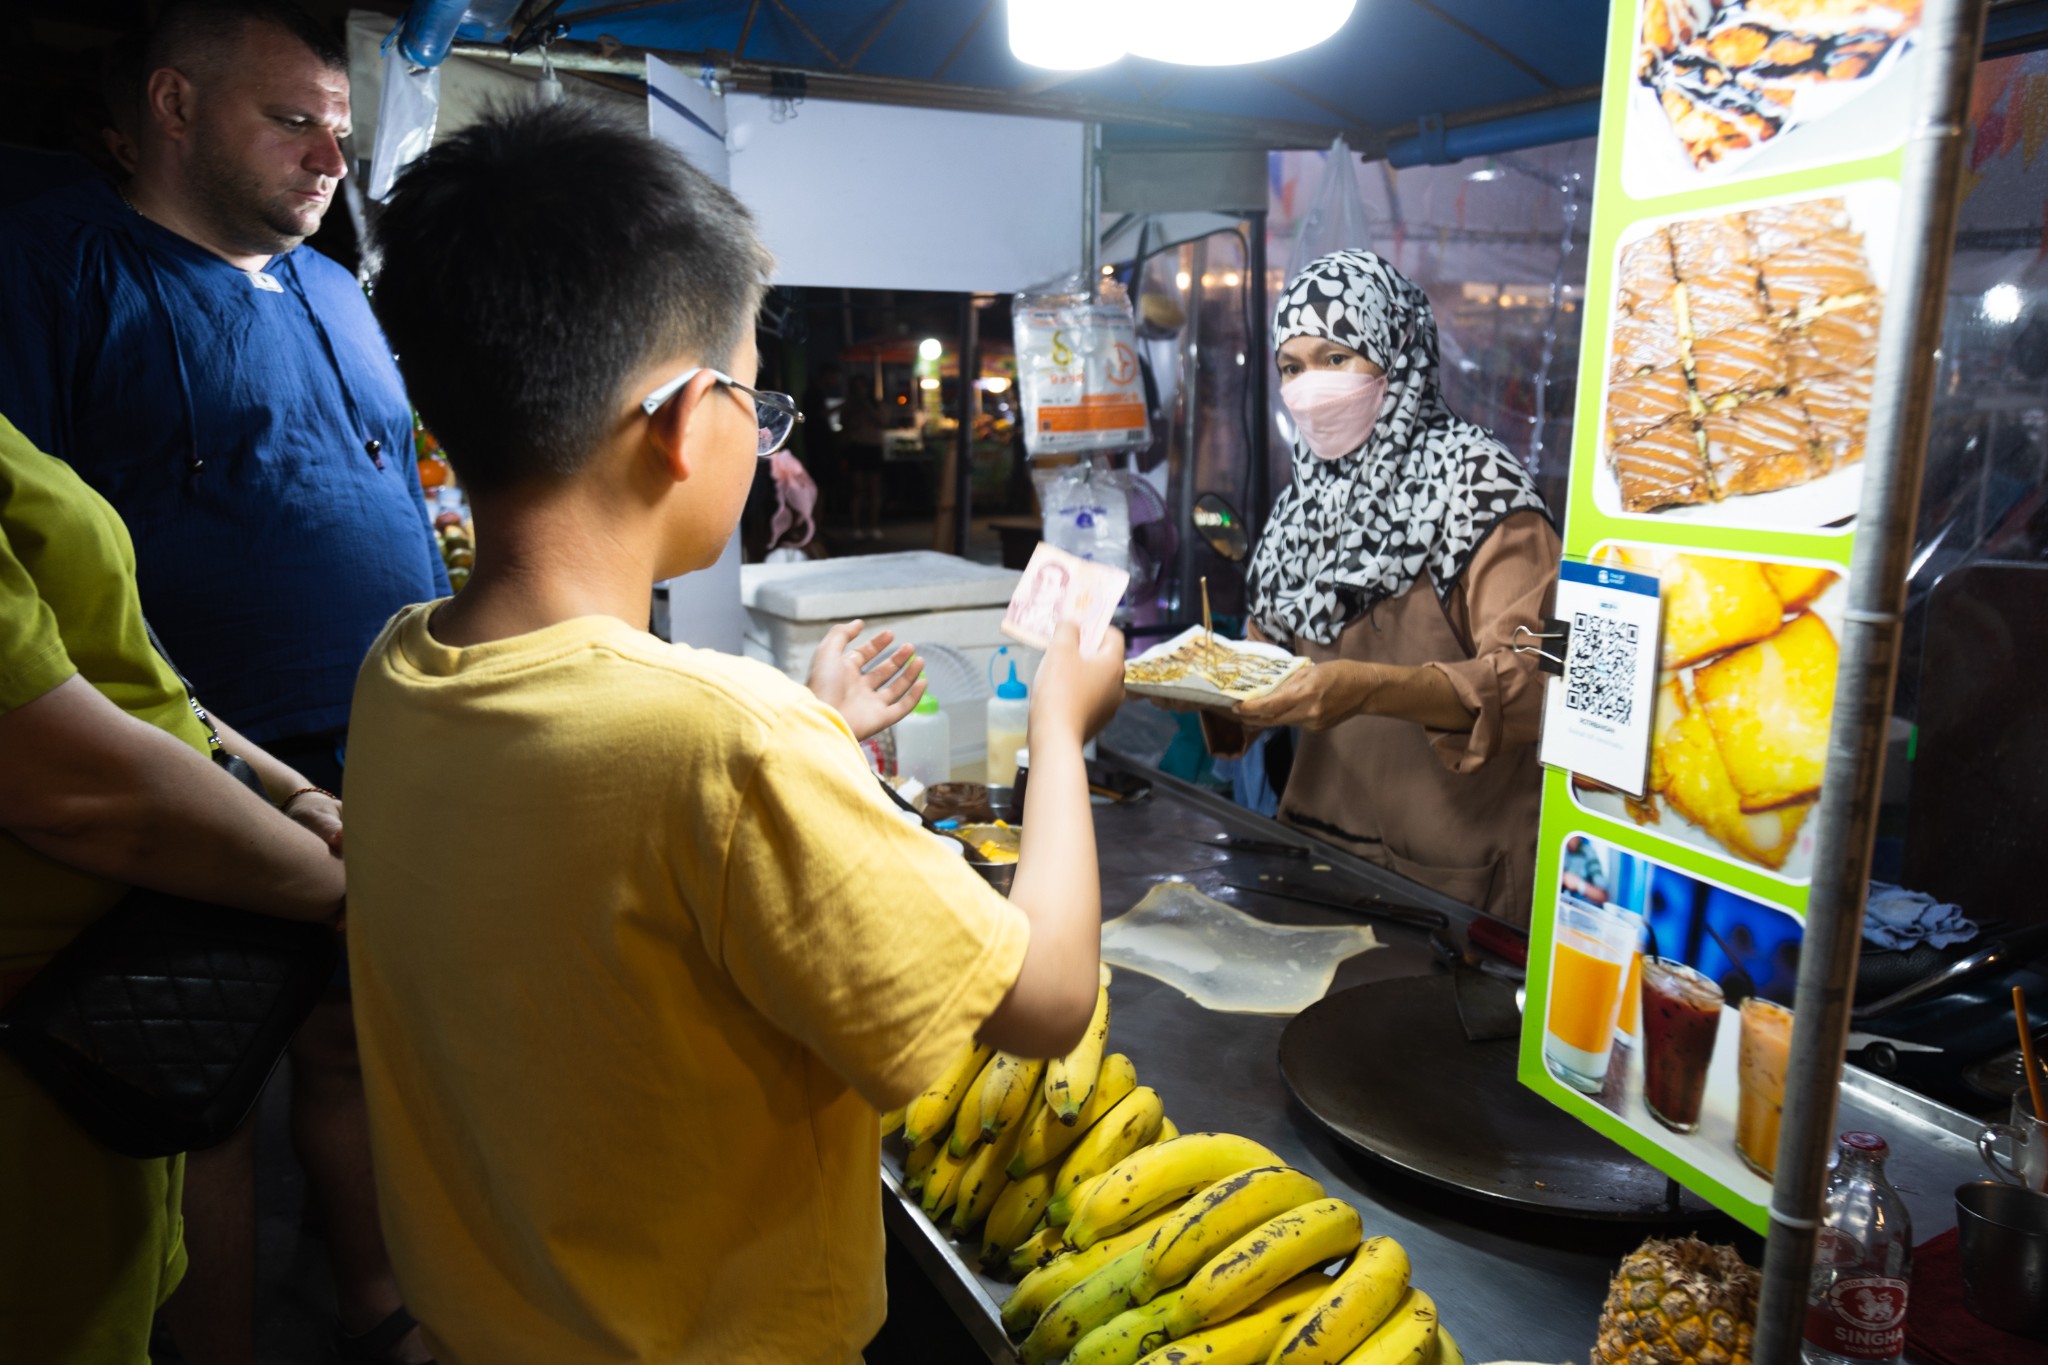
(1730, 89)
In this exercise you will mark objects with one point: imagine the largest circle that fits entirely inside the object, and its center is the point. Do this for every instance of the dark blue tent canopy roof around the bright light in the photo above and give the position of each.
(1418, 81)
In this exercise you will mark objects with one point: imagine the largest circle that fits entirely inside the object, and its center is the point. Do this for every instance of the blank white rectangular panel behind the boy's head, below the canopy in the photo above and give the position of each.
(886, 197)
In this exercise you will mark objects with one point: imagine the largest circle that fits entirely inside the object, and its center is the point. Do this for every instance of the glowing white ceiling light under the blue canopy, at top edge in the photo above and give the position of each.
(1076, 36)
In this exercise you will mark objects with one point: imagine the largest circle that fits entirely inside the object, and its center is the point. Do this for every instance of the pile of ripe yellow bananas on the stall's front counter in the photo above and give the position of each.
(1138, 1245)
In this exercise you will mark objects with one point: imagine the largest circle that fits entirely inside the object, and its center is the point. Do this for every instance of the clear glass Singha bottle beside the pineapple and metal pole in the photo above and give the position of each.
(1857, 1303)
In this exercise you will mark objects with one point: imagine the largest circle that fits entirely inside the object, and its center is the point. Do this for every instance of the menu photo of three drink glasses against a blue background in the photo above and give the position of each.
(1668, 1008)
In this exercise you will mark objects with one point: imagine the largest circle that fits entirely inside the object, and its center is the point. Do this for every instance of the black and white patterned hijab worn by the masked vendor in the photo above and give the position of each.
(1420, 494)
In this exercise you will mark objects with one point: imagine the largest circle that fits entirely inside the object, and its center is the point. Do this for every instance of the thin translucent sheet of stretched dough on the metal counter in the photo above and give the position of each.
(1224, 959)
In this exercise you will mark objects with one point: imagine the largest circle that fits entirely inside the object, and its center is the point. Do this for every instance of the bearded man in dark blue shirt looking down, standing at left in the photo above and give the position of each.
(230, 394)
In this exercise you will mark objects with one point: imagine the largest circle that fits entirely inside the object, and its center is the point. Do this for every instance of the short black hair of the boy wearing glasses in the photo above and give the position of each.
(540, 259)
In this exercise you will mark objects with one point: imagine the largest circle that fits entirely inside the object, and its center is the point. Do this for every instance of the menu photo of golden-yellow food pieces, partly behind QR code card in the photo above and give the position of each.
(1744, 703)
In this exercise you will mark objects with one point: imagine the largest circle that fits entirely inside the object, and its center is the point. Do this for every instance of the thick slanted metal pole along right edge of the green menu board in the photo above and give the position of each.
(1897, 447)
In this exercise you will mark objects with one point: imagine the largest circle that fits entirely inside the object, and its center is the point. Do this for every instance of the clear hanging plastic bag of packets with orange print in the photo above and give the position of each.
(1078, 373)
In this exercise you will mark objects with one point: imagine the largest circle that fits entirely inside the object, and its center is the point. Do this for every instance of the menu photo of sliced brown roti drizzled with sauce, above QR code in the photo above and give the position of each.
(1742, 355)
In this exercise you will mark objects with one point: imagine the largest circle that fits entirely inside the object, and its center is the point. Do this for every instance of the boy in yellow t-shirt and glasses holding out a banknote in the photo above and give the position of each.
(640, 946)
